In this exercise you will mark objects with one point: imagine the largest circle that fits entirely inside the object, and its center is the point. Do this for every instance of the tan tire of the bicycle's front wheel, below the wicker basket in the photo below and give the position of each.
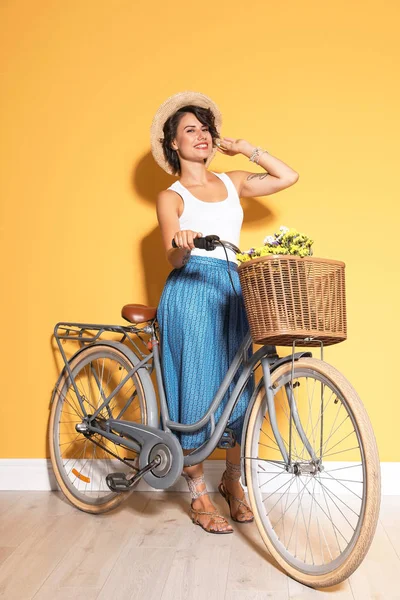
(373, 493)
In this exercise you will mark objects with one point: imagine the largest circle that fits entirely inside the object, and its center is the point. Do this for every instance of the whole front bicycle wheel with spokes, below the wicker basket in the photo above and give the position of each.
(317, 511)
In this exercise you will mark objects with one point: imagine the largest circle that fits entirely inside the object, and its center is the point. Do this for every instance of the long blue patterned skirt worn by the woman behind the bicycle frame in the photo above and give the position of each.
(202, 324)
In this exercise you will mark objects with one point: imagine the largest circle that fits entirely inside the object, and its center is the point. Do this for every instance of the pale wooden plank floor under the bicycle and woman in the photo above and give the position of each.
(149, 549)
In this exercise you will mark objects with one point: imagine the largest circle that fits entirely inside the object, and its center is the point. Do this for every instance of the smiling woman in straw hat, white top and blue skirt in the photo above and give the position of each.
(202, 322)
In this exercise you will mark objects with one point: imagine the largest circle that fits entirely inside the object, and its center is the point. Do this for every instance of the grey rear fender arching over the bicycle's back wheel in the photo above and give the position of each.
(142, 373)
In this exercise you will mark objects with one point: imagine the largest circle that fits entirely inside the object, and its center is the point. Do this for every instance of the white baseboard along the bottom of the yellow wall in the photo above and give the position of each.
(36, 474)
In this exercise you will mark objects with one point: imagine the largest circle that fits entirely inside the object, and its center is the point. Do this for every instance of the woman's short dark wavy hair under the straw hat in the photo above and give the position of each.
(204, 115)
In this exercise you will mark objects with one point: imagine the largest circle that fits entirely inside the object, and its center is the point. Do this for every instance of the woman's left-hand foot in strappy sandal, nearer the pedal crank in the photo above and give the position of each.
(203, 512)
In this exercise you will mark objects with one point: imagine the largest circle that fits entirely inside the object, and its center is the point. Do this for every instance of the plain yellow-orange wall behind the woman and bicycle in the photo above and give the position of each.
(316, 84)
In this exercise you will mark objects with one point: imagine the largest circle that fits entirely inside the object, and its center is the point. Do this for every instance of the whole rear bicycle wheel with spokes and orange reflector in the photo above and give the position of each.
(81, 462)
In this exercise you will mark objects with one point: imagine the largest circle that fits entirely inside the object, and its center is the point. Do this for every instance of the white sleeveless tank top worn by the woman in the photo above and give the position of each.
(223, 218)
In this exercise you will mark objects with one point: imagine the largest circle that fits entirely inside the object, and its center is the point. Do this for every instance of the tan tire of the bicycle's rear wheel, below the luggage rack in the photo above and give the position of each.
(90, 508)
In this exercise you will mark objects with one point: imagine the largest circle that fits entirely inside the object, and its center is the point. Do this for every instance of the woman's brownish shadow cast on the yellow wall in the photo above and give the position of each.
(148, 179)
